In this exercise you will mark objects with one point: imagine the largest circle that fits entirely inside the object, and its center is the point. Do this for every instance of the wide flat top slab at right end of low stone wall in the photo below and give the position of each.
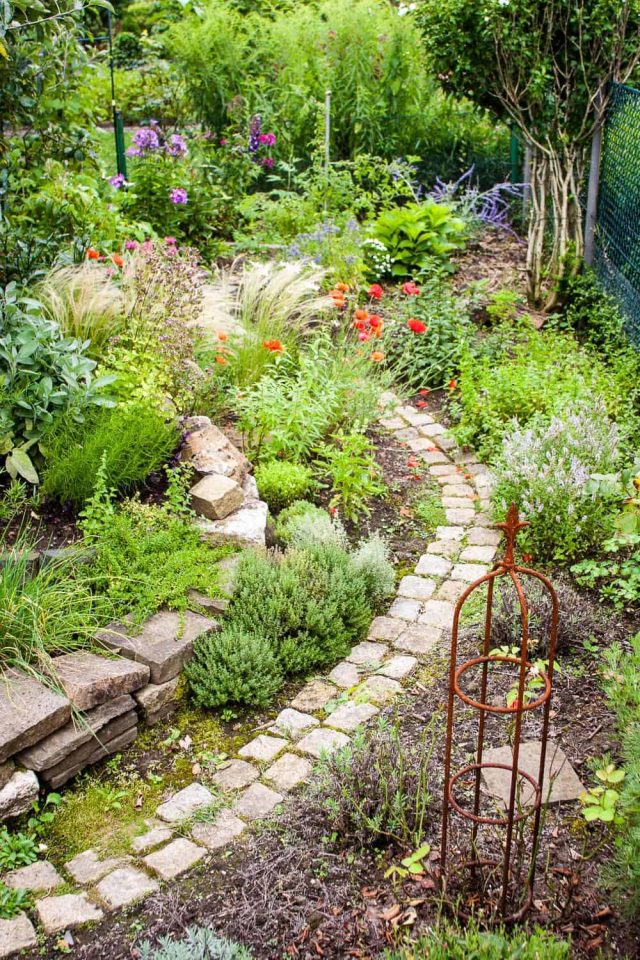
(164, 644)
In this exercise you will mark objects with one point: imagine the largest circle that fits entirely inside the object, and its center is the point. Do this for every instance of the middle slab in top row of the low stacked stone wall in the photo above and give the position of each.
(90, 680)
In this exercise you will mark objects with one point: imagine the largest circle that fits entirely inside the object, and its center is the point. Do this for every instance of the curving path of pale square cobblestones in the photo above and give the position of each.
(191, 823)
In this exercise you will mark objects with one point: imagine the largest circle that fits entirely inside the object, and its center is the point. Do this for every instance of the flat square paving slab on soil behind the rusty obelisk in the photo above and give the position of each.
(561, 782)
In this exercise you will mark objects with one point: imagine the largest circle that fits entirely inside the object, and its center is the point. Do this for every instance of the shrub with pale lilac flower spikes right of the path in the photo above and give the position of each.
(546, 467)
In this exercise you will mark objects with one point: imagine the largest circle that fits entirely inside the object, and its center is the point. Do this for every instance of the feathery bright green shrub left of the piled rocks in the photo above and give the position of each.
(135, 441)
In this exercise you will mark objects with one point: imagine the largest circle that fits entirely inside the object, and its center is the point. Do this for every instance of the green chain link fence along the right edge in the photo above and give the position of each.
(617, 238)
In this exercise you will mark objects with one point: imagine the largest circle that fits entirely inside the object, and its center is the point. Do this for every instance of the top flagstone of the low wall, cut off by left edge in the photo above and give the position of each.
(29, 711)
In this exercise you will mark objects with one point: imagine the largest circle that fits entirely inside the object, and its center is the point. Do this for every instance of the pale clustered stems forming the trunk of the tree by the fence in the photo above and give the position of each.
(555, 239)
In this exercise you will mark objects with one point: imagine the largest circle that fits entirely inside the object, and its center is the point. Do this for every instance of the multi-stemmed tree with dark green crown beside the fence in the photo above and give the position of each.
(545, 66)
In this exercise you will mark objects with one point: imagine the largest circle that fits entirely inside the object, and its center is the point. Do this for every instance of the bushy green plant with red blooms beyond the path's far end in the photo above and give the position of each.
(428, 357)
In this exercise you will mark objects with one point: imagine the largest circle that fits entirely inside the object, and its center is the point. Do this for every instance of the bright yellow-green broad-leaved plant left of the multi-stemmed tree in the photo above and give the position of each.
(416, 235)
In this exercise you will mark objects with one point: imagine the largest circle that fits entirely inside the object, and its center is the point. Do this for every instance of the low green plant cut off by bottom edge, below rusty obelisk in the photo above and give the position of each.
(450, 943)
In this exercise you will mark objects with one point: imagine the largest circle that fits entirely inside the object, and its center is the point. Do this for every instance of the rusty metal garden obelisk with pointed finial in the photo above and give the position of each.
(507, 900)
